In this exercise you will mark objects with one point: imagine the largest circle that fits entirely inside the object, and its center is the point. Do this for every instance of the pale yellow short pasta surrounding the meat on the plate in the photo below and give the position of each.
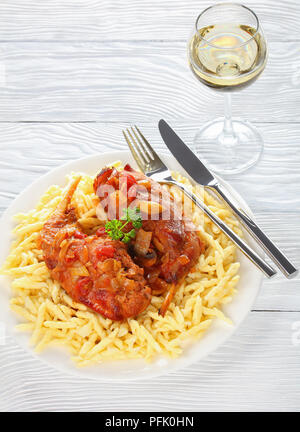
(52, 317)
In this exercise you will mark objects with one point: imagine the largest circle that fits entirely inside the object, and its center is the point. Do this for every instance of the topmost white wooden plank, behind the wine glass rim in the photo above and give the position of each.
(120, 19)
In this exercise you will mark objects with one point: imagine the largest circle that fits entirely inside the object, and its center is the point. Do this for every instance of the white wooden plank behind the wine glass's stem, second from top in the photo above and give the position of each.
(134, 81)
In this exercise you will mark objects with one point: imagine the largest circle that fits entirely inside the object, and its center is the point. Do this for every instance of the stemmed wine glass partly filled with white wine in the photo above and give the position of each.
(227, 51)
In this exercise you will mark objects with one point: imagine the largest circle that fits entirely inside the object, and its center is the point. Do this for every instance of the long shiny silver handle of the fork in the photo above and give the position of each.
(249, 252)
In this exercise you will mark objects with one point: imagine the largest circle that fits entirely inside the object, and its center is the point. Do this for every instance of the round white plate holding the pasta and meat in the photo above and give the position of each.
(59, 358)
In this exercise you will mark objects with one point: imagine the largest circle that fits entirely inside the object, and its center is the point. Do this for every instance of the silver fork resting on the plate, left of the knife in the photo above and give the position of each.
(152, 166)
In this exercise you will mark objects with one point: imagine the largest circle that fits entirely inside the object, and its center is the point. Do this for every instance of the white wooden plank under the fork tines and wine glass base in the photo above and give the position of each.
(272, 189)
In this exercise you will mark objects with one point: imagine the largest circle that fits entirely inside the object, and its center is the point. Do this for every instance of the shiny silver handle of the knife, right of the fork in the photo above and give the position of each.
(285, 266)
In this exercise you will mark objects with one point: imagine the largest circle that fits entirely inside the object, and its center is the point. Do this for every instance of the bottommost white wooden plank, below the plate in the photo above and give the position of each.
(257, 369)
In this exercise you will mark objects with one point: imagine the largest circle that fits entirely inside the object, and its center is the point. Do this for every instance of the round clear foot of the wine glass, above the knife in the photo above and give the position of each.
(228, 154)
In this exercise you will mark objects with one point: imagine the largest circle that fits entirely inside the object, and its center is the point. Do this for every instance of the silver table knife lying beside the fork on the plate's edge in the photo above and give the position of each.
(200, 174)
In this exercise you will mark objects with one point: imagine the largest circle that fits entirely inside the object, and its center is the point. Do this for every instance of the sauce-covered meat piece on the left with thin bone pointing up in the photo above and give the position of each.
(94, 270)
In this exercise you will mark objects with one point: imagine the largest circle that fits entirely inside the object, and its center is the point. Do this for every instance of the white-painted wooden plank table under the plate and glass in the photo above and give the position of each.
(72, 75)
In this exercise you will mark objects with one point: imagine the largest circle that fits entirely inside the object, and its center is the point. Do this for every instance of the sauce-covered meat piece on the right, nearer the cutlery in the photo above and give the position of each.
(175, 242)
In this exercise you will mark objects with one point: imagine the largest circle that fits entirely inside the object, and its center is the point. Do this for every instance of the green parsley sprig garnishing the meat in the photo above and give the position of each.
(114, 228)
